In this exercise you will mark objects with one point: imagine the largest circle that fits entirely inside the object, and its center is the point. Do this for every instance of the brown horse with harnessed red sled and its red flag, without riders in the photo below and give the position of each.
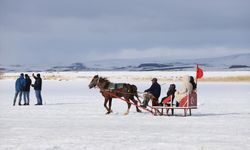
(128, 92)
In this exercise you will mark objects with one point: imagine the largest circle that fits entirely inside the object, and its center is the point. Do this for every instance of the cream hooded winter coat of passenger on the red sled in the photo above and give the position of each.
(186, 89)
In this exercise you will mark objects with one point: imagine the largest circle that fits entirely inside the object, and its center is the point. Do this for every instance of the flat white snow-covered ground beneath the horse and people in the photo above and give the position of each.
(74, 118)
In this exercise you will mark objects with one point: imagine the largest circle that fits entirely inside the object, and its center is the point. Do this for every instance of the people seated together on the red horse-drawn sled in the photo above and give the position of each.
(154, 92)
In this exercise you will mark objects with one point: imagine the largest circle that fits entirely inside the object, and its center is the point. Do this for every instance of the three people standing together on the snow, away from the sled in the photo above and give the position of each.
(22, 89)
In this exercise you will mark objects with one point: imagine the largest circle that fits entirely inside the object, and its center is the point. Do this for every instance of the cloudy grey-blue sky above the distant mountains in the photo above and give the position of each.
(67, 31)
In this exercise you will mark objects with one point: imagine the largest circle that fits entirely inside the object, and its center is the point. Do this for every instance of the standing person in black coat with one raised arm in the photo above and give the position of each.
(38, 88)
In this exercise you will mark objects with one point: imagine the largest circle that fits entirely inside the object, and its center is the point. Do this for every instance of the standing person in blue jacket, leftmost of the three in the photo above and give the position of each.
(20, 84)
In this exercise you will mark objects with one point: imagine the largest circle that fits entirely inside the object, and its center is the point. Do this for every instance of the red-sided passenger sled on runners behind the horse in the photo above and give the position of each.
(187, 103)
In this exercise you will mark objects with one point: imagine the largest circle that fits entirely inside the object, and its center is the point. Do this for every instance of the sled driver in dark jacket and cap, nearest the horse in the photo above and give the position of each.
(153, 93)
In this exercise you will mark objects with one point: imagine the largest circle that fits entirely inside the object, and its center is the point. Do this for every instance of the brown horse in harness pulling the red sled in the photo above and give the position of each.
(127, 91)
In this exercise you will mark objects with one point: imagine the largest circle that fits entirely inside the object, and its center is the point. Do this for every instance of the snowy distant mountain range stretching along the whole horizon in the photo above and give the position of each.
(232, 62)
